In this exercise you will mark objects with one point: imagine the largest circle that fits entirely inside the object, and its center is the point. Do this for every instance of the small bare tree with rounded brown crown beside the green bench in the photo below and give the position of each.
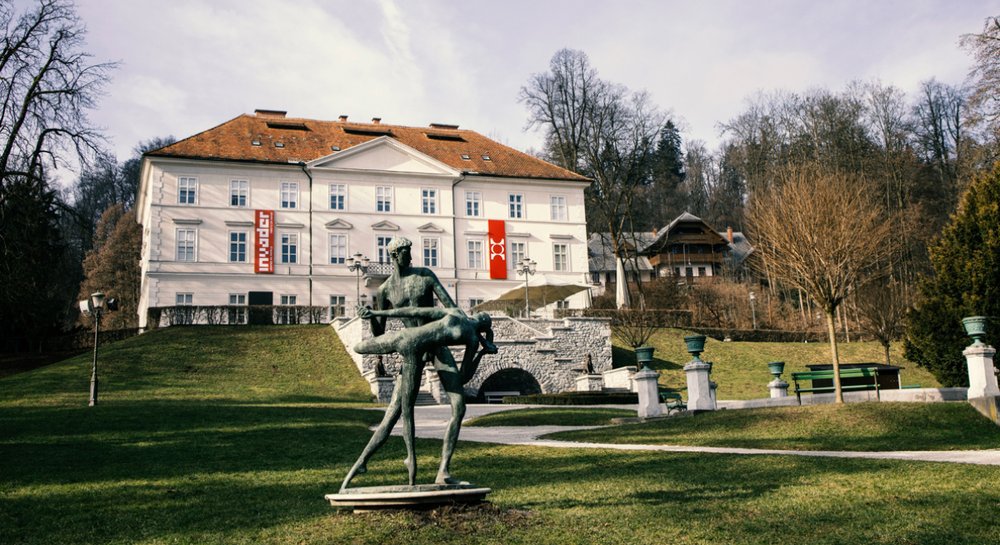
(824, 232)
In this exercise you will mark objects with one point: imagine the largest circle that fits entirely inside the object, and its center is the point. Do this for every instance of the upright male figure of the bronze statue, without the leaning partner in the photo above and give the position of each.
(409, 286)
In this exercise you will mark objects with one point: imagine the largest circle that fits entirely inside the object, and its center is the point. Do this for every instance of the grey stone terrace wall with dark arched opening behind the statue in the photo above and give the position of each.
(551, 352)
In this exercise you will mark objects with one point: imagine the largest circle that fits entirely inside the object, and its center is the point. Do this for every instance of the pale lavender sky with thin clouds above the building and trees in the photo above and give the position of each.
(188, 65)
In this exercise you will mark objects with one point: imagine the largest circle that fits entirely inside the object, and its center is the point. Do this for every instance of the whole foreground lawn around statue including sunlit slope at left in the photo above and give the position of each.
(215, 435)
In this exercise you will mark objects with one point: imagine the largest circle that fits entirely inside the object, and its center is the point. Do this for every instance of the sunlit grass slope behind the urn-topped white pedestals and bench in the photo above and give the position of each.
(740, 368)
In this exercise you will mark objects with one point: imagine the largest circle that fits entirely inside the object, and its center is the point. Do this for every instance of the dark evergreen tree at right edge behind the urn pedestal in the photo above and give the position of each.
(966, 282)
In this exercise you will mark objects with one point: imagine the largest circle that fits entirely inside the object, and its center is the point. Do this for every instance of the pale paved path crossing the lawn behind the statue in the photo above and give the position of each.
(432, 420)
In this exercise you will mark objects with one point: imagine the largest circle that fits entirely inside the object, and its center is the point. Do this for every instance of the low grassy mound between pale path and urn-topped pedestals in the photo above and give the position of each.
(855, 426)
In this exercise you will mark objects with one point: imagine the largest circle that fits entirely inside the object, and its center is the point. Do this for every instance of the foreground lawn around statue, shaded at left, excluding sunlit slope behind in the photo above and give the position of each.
(191, 472)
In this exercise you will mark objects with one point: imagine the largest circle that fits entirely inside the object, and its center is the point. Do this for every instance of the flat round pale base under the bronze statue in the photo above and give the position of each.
(421, 496)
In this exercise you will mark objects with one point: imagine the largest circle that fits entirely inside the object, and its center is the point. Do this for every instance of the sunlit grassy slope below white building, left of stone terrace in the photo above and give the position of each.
(248, 364)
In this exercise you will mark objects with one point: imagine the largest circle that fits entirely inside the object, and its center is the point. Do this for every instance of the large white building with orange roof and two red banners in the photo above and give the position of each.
(265, 209)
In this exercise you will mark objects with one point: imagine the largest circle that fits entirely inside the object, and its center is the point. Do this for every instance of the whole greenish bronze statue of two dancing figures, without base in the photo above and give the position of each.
(408, 294)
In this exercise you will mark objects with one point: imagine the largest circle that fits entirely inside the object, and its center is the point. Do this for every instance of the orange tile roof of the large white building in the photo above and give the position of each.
(309, 139)
